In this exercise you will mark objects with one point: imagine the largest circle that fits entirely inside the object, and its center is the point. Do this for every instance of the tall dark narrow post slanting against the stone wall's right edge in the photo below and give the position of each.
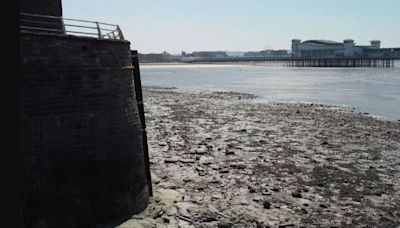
(139, 100)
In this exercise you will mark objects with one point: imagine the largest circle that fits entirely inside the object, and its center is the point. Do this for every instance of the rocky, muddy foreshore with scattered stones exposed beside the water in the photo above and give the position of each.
(222, 160)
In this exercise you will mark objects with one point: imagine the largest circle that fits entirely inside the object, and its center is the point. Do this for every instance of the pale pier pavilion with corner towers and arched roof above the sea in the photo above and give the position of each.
(347, 48)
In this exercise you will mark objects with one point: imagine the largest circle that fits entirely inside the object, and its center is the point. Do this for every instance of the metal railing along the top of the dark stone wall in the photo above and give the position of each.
(59, 25)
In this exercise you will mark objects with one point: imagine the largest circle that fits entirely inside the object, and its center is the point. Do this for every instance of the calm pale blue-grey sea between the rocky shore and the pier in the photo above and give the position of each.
(372, 90)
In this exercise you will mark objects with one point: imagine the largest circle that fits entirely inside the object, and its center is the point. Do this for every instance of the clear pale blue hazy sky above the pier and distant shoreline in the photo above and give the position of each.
(241, 25)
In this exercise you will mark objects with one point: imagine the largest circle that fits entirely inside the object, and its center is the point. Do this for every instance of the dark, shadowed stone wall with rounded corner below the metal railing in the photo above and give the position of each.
(80, 131)
